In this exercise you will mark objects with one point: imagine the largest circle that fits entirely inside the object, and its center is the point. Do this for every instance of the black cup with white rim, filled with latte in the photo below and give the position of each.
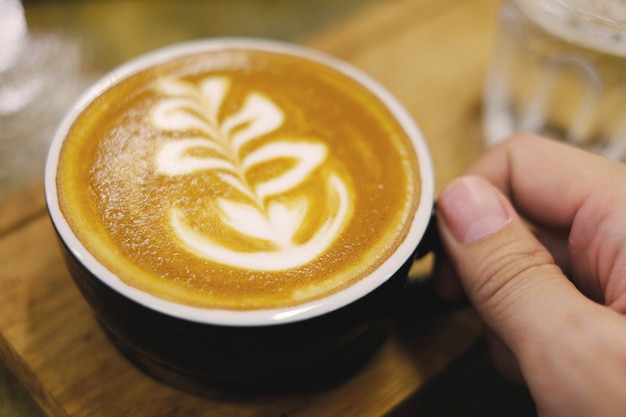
(238, 210)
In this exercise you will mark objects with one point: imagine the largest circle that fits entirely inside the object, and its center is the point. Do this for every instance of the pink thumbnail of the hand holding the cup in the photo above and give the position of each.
(472, 209)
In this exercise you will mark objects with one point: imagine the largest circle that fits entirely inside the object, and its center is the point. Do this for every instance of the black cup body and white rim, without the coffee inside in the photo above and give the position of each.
(180, 343)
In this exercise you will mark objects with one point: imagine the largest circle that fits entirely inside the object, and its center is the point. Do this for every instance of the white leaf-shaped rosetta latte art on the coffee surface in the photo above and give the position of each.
(217, 145)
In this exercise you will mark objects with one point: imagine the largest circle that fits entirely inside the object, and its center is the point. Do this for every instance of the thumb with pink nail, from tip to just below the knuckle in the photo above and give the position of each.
(502, 267)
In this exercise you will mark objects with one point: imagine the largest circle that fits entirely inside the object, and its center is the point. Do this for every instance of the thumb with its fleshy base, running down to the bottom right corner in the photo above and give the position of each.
(571, 351)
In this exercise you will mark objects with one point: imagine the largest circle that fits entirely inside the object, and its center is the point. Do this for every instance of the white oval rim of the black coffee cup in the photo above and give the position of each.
(257, 317)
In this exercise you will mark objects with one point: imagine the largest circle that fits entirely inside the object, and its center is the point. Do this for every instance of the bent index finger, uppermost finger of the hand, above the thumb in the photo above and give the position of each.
(548, 181)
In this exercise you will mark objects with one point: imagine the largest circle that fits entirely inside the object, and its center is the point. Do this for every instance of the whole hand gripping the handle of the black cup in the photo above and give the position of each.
(535, 237)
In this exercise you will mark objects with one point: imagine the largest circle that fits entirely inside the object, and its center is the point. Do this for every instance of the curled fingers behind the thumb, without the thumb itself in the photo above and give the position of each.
(574, 193)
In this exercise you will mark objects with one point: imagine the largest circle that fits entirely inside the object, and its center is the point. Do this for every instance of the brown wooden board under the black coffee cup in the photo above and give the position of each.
(432, 54)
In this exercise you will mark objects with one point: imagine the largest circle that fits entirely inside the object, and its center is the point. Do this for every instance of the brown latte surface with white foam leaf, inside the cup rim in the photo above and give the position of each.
(238, 179)
